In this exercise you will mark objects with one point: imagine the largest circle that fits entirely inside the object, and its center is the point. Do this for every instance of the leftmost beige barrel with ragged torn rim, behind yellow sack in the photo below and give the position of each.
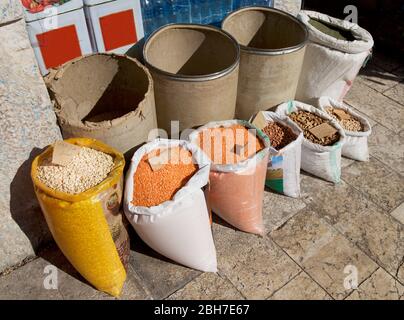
(107, 97)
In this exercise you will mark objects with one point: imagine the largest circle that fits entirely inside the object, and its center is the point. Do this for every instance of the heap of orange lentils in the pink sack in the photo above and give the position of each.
(220, 144)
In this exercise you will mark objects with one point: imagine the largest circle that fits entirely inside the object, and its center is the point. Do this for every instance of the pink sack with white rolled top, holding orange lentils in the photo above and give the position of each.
(236, 190)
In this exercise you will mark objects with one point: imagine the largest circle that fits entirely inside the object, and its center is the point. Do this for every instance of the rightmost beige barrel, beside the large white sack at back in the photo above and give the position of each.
(272, 46)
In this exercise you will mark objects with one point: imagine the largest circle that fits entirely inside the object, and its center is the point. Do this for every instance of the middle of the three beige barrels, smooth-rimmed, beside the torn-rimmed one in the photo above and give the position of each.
(195, 73)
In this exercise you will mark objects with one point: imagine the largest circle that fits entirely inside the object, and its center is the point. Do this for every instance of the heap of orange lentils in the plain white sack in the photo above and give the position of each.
(153, 187)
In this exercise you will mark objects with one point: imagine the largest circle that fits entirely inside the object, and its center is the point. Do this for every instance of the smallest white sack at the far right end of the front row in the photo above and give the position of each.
(356, 143)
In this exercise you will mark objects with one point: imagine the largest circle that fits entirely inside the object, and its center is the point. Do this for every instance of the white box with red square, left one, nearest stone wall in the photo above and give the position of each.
(58, 34)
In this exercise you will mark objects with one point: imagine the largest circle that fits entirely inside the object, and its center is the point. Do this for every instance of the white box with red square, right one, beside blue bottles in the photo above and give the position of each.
(114, 25)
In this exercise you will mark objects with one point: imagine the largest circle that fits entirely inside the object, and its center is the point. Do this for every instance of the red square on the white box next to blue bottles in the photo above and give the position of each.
(118, 29)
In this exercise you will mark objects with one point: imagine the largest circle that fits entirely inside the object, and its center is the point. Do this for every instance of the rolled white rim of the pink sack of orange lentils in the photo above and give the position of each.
(242, 165)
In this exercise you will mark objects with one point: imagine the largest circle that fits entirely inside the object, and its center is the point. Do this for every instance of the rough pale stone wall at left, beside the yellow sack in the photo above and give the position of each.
(27, 124)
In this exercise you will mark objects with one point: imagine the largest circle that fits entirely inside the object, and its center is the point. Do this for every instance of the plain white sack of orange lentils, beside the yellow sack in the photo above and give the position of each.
(180, 228)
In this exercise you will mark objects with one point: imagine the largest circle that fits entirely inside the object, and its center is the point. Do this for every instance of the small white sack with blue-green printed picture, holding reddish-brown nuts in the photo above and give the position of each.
(283, 173)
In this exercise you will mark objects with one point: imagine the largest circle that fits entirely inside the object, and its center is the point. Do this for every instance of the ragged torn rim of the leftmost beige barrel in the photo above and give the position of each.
(55, 74)
